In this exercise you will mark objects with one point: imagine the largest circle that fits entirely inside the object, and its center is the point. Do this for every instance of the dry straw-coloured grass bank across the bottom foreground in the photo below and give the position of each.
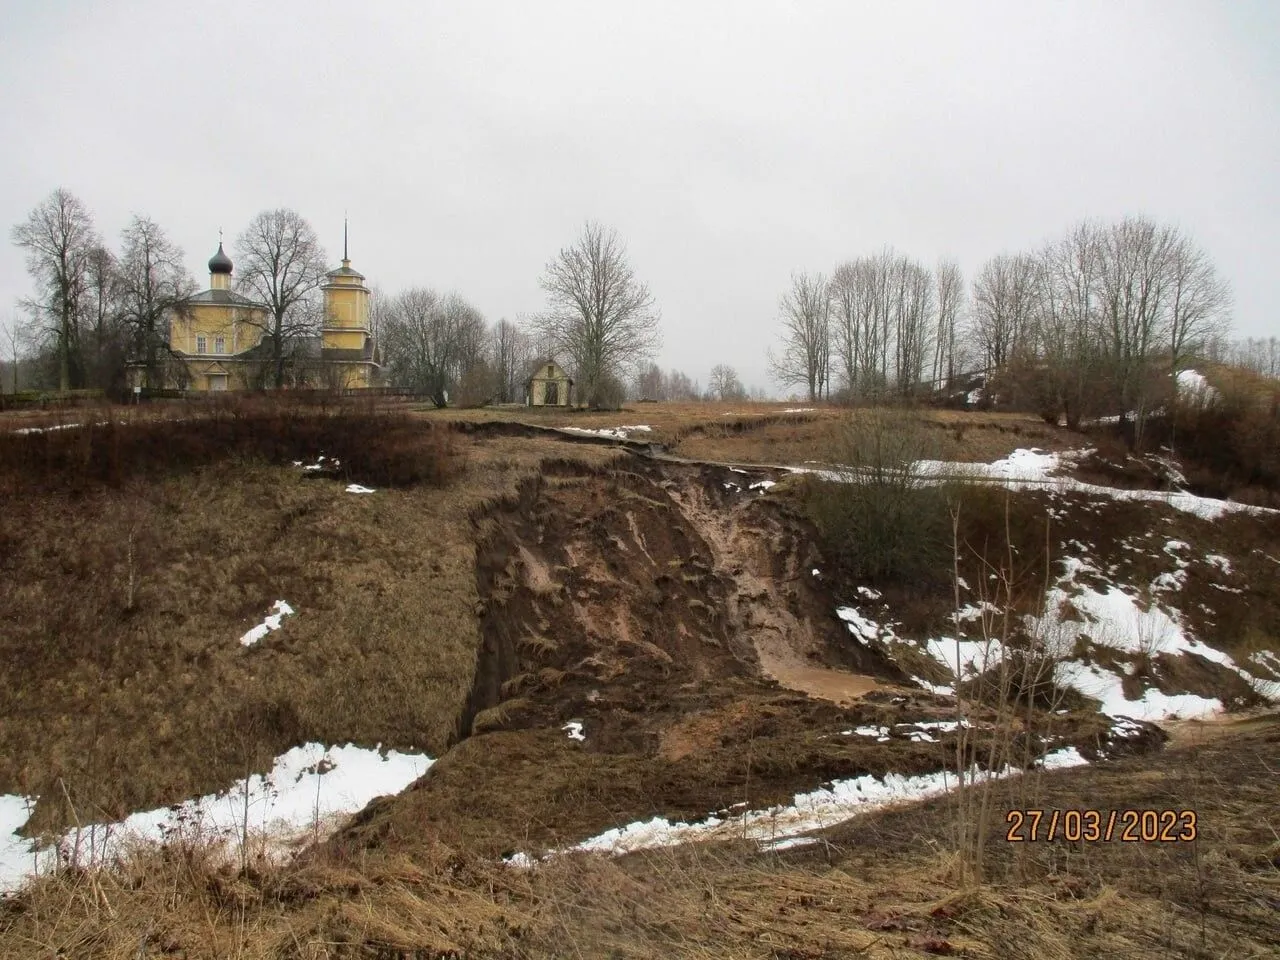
(881, 886)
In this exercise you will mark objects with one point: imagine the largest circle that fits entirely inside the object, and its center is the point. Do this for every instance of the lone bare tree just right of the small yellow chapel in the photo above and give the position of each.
(598, 313)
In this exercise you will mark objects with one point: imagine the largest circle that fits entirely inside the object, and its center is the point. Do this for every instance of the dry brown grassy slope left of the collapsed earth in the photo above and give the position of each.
(141, 696)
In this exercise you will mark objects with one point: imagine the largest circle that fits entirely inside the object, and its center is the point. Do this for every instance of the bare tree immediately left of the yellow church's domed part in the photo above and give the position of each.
(153, 284)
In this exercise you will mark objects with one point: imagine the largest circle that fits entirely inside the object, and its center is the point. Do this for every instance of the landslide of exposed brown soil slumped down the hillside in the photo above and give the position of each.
(673, 612)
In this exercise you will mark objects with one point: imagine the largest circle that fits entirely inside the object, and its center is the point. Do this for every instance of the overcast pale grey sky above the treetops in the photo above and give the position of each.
(730, 144)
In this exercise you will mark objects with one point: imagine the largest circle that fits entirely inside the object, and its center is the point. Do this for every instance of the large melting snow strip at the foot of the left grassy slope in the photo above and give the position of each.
(309, 790)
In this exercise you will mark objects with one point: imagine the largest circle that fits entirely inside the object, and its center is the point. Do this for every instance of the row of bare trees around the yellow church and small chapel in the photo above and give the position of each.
(95, 312)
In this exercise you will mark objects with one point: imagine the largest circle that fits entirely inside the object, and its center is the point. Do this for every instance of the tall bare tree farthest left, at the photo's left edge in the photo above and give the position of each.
(58, 237)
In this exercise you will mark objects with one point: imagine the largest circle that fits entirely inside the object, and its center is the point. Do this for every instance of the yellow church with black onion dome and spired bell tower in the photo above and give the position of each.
(218, 340)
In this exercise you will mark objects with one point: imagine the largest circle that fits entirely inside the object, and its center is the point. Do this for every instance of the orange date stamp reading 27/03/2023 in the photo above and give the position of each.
(1133, 826)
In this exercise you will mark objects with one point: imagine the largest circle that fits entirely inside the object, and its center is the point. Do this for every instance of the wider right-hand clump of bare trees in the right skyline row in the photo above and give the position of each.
(1103, 319)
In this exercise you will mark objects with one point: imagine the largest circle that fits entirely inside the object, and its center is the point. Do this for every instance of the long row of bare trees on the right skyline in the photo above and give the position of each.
(1094, 313)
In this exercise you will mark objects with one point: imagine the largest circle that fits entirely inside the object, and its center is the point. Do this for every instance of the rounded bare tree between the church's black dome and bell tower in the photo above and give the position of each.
(282, 266)
